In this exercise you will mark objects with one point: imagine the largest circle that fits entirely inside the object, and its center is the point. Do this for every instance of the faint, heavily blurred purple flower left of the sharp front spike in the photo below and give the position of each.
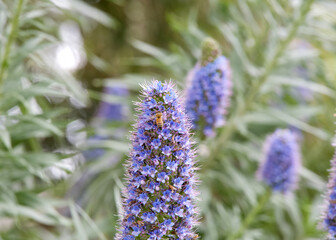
(113, 111)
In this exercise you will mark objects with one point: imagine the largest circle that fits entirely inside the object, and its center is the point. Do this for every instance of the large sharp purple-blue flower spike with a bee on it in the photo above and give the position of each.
(160, 192)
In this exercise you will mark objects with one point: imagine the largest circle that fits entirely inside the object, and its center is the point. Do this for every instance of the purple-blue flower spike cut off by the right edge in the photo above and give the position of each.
(329, 218)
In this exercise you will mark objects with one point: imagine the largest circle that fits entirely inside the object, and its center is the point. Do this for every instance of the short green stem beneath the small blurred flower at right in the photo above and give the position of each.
(251, 215)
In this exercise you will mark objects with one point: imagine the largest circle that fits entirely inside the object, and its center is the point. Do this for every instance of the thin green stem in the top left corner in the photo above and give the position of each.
(11, 38)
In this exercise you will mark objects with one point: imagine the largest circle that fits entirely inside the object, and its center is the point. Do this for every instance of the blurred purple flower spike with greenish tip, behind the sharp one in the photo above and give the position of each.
(209, 89)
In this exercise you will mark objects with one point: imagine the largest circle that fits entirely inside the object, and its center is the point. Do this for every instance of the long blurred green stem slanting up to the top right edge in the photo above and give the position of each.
(230, 127)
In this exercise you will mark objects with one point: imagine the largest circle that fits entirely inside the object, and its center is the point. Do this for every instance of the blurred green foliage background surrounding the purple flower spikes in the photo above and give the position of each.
(282, 55)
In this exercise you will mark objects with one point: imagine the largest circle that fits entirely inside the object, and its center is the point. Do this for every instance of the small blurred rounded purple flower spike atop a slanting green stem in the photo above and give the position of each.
(280, 166)
